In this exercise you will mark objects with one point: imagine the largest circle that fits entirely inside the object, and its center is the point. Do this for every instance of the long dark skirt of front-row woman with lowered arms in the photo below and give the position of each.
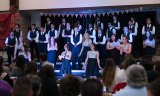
(92, 67)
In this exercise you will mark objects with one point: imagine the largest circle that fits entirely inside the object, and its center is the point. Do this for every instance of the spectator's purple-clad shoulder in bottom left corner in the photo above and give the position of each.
(5, 88)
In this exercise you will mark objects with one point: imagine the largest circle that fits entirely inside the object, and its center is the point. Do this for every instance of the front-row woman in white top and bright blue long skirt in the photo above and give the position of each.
(65, 57)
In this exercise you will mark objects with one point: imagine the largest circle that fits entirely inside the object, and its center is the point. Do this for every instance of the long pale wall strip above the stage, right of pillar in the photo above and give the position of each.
(51, 4)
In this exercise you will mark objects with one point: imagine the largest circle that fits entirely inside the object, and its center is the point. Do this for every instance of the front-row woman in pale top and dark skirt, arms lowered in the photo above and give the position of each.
(93, 63)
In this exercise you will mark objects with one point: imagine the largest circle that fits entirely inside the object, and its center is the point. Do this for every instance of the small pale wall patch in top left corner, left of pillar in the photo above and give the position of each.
(4, 5)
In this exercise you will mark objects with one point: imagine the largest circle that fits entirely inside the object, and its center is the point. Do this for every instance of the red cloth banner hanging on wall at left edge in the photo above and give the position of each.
(5, 20)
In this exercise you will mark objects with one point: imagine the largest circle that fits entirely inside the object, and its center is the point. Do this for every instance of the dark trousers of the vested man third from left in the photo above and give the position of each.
(34, 47)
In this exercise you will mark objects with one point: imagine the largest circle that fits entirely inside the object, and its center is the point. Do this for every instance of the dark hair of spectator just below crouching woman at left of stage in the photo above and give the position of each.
(31, 68)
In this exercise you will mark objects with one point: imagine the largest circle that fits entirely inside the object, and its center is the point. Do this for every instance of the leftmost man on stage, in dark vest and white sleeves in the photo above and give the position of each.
(10, 42)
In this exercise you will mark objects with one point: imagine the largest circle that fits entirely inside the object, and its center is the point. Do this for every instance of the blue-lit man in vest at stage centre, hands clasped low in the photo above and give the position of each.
(76, 40)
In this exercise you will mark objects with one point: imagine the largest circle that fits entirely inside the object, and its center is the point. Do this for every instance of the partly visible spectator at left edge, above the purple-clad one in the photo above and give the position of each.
(3, 75)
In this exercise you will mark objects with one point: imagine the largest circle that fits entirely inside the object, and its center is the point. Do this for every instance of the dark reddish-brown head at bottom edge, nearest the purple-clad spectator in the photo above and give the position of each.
(22, 87)
